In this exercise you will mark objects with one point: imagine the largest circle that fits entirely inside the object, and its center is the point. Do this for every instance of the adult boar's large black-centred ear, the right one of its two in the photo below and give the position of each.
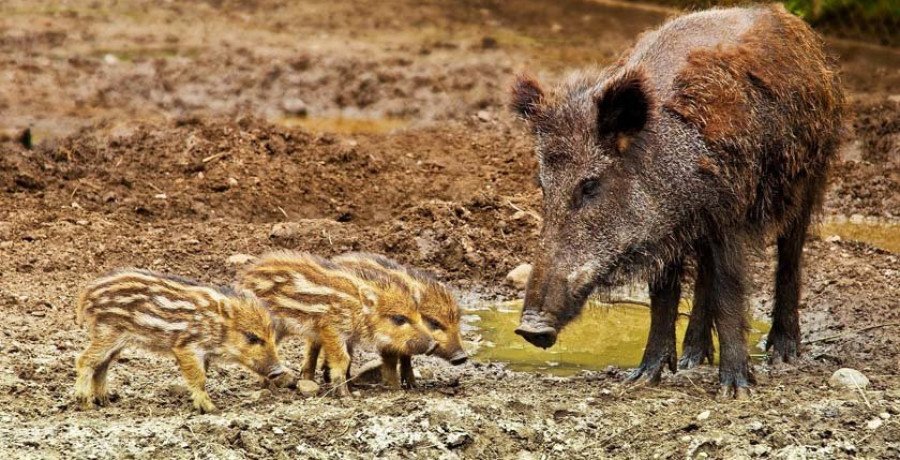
(624, 105)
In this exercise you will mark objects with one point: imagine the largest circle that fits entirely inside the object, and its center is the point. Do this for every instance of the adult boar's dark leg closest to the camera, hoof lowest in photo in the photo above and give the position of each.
(722, 262)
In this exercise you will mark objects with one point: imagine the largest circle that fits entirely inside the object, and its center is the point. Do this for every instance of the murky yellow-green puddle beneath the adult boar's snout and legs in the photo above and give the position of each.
(603, 335)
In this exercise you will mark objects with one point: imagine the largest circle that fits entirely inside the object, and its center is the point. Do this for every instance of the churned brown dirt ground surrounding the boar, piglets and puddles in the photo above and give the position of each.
(158, 145)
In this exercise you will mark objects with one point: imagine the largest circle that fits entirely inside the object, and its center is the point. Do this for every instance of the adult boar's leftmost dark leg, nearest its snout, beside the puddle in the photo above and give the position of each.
(665, 292)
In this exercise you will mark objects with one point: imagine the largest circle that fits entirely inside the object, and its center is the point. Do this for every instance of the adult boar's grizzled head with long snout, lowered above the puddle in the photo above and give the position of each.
(603, 208)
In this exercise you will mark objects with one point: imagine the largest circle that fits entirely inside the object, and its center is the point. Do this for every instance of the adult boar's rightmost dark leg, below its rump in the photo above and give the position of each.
(784, 338)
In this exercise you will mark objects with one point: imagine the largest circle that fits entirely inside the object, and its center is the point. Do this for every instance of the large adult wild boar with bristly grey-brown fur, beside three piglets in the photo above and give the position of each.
(714, 131)
